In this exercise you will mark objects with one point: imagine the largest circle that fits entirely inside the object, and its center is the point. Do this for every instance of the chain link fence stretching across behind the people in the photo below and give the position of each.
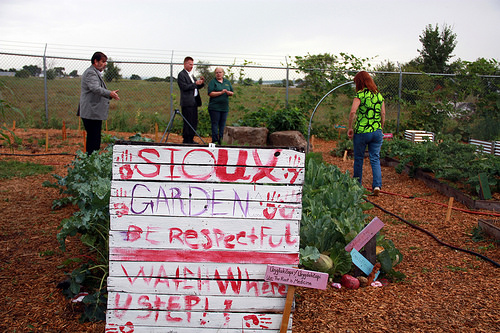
(46, 90)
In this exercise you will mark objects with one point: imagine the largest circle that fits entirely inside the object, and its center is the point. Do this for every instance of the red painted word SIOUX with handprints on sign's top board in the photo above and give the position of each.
(149, 169)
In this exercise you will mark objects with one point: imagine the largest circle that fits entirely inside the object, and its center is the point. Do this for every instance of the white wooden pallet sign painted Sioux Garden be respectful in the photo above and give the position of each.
(192, 232)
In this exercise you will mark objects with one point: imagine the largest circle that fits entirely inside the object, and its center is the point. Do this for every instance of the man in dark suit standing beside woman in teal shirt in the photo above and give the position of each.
(190, 99)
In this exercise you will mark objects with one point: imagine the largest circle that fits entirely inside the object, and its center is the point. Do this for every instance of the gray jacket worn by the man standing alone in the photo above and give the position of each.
(94, 99)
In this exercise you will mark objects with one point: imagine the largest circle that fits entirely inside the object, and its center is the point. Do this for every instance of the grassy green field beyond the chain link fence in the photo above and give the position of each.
(144, 103)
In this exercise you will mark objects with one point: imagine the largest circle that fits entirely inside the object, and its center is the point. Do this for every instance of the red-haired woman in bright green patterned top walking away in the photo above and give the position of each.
(368, 116)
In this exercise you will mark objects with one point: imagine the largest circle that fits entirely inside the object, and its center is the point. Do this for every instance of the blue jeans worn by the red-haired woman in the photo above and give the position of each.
(374, 141)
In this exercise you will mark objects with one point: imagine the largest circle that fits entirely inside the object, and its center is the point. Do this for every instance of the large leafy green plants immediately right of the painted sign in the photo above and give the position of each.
(332, 215)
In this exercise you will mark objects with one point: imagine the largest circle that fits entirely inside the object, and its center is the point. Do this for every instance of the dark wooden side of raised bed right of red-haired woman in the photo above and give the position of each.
(445, 189)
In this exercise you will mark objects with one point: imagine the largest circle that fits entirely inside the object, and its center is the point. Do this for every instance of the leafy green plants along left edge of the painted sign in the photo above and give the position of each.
(87, 185)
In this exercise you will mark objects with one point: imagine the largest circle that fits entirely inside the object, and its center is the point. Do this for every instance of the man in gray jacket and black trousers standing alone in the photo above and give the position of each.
(94, 101)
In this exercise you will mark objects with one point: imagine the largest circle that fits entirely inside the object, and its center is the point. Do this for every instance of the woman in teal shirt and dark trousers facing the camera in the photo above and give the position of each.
(219, 90)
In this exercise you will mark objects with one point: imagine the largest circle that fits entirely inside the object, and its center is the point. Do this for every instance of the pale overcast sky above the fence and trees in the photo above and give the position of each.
(265, 32)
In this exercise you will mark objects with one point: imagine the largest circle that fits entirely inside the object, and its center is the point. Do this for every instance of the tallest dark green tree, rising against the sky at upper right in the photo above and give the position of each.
(437, 48)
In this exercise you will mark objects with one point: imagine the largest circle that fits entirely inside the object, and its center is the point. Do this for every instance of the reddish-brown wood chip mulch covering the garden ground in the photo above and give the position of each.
(445, 290)
